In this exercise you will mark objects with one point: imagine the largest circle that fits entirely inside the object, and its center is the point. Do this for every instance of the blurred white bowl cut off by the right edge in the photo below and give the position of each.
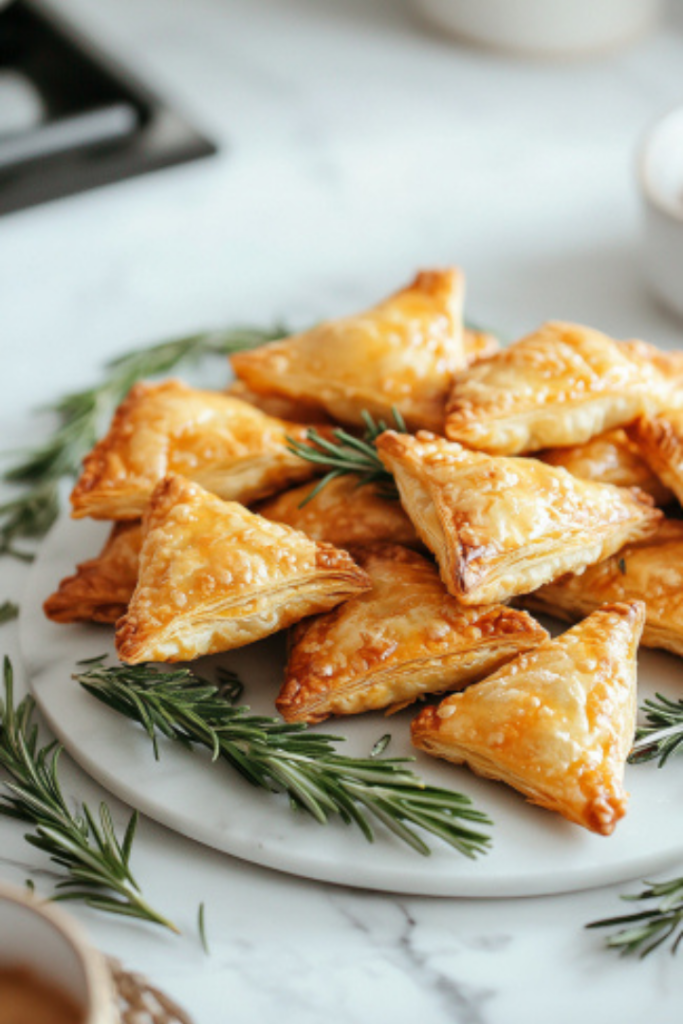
(661, 175)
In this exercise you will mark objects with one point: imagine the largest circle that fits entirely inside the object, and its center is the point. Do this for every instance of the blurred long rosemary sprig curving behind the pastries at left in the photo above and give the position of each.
(81, 416)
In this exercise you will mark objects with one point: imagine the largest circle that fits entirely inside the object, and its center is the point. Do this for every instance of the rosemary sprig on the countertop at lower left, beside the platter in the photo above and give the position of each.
(97, 863)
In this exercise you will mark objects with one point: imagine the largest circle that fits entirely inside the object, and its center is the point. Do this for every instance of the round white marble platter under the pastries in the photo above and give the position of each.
(535, 852)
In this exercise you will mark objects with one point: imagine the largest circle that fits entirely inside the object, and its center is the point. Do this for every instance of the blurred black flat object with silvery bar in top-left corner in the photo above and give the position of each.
(101, 124)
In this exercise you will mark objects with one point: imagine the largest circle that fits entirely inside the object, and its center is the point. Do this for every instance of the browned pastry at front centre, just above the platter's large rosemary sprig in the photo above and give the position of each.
(404, 638)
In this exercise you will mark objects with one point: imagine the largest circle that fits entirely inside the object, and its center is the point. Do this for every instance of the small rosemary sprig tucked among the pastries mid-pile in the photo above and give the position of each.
(348, 454)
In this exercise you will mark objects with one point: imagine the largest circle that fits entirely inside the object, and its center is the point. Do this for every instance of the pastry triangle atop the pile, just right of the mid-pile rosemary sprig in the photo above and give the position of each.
(504, 527)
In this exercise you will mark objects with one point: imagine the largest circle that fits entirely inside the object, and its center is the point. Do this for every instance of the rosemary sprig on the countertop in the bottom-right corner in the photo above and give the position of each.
(645, 931)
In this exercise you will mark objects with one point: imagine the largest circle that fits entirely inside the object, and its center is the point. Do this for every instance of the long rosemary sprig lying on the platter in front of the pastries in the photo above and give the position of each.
(289, 758)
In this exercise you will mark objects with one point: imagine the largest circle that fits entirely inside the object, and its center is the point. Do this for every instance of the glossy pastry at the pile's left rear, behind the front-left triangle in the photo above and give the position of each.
(225, 445)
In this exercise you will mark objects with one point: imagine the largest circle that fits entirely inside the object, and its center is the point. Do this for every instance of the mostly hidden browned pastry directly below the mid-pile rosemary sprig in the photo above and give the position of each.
(344, 514)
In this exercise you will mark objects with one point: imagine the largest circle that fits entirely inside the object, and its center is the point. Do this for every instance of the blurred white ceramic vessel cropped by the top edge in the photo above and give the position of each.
(544, 28)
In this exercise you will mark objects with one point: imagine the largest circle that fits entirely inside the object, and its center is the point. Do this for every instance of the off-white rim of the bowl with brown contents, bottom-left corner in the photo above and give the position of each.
(47, 941)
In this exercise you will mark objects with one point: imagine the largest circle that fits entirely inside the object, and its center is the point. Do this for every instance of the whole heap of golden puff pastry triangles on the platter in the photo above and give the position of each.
(531, 474)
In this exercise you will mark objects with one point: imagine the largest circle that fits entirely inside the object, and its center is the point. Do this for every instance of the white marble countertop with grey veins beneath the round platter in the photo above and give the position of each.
(356, 147)
